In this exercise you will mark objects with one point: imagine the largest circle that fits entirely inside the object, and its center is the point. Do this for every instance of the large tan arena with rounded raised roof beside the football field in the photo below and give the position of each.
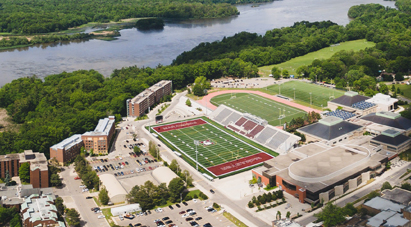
(318, 172)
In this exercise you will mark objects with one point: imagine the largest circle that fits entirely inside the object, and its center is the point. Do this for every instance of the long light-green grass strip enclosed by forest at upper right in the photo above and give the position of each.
(324, 53)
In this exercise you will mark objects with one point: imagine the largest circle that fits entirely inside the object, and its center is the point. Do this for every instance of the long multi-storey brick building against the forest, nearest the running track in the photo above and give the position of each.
(138, 105)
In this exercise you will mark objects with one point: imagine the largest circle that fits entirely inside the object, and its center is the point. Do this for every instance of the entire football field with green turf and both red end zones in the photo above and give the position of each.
(219, 152)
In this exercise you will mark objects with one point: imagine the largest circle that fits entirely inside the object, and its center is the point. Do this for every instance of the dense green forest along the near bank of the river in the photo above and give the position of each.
(63, 104)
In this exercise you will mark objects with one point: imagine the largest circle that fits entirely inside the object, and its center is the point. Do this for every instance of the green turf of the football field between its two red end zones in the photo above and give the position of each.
(225, 147)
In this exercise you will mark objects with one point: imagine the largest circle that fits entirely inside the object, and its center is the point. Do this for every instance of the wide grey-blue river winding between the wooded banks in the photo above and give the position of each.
(161, 47)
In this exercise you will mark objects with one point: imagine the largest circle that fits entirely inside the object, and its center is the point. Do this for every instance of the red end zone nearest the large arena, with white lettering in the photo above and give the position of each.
(241, 163)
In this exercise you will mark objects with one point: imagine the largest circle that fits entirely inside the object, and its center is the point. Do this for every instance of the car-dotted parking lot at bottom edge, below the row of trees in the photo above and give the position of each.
(175, 216)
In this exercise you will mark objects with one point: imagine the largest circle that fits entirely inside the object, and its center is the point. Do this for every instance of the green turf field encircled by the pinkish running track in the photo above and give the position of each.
(264, 108)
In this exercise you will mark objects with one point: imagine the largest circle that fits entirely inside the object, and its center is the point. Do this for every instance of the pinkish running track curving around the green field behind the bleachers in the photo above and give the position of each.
(205, 101)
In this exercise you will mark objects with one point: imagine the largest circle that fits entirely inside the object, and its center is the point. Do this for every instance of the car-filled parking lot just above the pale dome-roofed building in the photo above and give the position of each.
(123, 167)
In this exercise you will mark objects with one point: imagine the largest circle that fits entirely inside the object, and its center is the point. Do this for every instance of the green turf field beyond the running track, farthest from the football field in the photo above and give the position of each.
(320, 95)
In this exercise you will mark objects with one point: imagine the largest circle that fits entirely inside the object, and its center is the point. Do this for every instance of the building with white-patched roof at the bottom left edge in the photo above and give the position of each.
(39, 211)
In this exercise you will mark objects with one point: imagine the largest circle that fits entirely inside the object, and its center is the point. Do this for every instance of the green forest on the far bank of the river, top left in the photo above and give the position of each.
(44, 16)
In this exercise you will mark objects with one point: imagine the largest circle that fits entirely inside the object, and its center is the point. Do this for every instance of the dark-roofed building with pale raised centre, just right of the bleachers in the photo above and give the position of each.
(331, 130)
